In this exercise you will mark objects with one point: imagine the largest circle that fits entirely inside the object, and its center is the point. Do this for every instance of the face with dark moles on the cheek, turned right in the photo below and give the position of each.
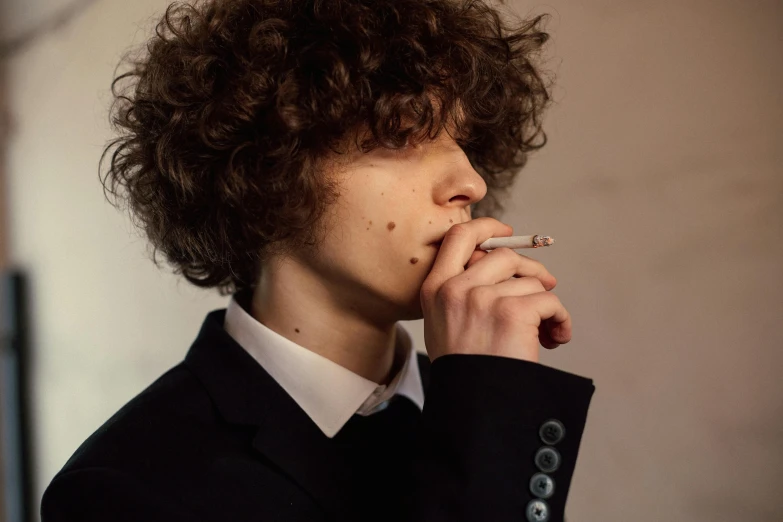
(376, 252)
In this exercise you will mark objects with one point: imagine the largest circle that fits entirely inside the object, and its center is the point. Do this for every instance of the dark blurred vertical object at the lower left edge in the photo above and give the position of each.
(16, 440)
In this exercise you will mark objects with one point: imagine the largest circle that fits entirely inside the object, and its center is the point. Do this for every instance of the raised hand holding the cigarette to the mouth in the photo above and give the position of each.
(492, 303)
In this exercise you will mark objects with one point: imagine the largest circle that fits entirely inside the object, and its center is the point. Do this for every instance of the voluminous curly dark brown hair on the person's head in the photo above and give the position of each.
(236, 103)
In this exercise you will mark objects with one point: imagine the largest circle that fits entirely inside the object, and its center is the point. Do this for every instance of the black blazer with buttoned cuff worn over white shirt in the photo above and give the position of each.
(215, 438)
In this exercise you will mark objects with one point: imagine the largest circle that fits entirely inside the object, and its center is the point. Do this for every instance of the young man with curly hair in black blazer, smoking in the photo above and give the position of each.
(333, 164)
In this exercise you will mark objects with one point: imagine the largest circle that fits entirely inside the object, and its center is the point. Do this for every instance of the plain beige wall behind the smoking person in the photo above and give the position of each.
(661, 183)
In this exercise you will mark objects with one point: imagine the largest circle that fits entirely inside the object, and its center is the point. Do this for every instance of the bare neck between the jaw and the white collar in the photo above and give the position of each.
(296, 304)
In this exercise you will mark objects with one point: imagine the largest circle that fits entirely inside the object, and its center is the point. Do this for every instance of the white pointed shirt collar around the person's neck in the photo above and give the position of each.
(329, 393)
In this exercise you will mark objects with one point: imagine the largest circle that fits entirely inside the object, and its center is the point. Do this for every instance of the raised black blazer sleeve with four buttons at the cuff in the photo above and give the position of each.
(493, 429)
